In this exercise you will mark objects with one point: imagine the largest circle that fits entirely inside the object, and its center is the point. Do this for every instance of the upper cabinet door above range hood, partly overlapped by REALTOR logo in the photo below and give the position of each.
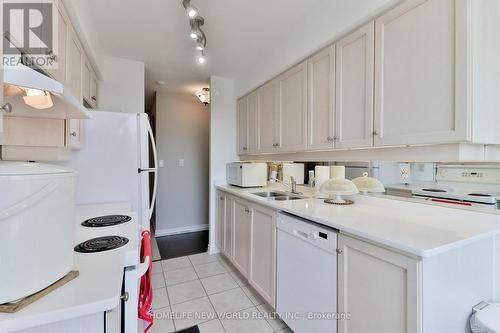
(58, 55)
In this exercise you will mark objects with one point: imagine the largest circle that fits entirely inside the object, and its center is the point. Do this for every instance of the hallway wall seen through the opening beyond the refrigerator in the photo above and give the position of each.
(182, 133)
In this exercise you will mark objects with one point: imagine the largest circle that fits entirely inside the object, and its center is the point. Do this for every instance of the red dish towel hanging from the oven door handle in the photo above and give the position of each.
(146, 289)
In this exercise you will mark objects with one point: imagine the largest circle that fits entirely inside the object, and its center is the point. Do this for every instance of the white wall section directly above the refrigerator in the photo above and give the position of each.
(122, 89)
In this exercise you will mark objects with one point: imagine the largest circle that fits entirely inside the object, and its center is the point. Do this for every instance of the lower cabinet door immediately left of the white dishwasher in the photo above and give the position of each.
(263, 253)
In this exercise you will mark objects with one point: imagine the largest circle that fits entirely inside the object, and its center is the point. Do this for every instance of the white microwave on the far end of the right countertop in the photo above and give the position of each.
(246, 174)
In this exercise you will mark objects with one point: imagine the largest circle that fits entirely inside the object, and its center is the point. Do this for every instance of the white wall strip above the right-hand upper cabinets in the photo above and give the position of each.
(316, 29)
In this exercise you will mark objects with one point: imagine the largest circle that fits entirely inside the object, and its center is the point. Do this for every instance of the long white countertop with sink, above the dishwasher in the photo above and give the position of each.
(414, 228)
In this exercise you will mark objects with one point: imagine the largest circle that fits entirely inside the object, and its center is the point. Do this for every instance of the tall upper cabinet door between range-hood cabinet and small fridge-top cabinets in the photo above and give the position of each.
(74, 66)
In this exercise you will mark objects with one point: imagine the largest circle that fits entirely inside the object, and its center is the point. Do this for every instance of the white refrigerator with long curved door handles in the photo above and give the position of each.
(114, 163)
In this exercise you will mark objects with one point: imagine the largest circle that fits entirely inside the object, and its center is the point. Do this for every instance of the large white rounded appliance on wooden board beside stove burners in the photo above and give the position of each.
(37, 203)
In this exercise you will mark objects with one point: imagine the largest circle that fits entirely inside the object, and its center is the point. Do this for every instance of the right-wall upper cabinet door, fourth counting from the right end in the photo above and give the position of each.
(293, 109)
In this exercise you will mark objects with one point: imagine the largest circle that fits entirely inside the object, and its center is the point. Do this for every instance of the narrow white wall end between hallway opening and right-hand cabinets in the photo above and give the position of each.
(222, 138)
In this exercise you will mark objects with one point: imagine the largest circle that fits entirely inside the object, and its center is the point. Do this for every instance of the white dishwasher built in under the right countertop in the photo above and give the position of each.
(306, 275)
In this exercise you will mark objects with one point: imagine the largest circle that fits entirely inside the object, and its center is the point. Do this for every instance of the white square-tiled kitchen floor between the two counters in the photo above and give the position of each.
(206, 290)
